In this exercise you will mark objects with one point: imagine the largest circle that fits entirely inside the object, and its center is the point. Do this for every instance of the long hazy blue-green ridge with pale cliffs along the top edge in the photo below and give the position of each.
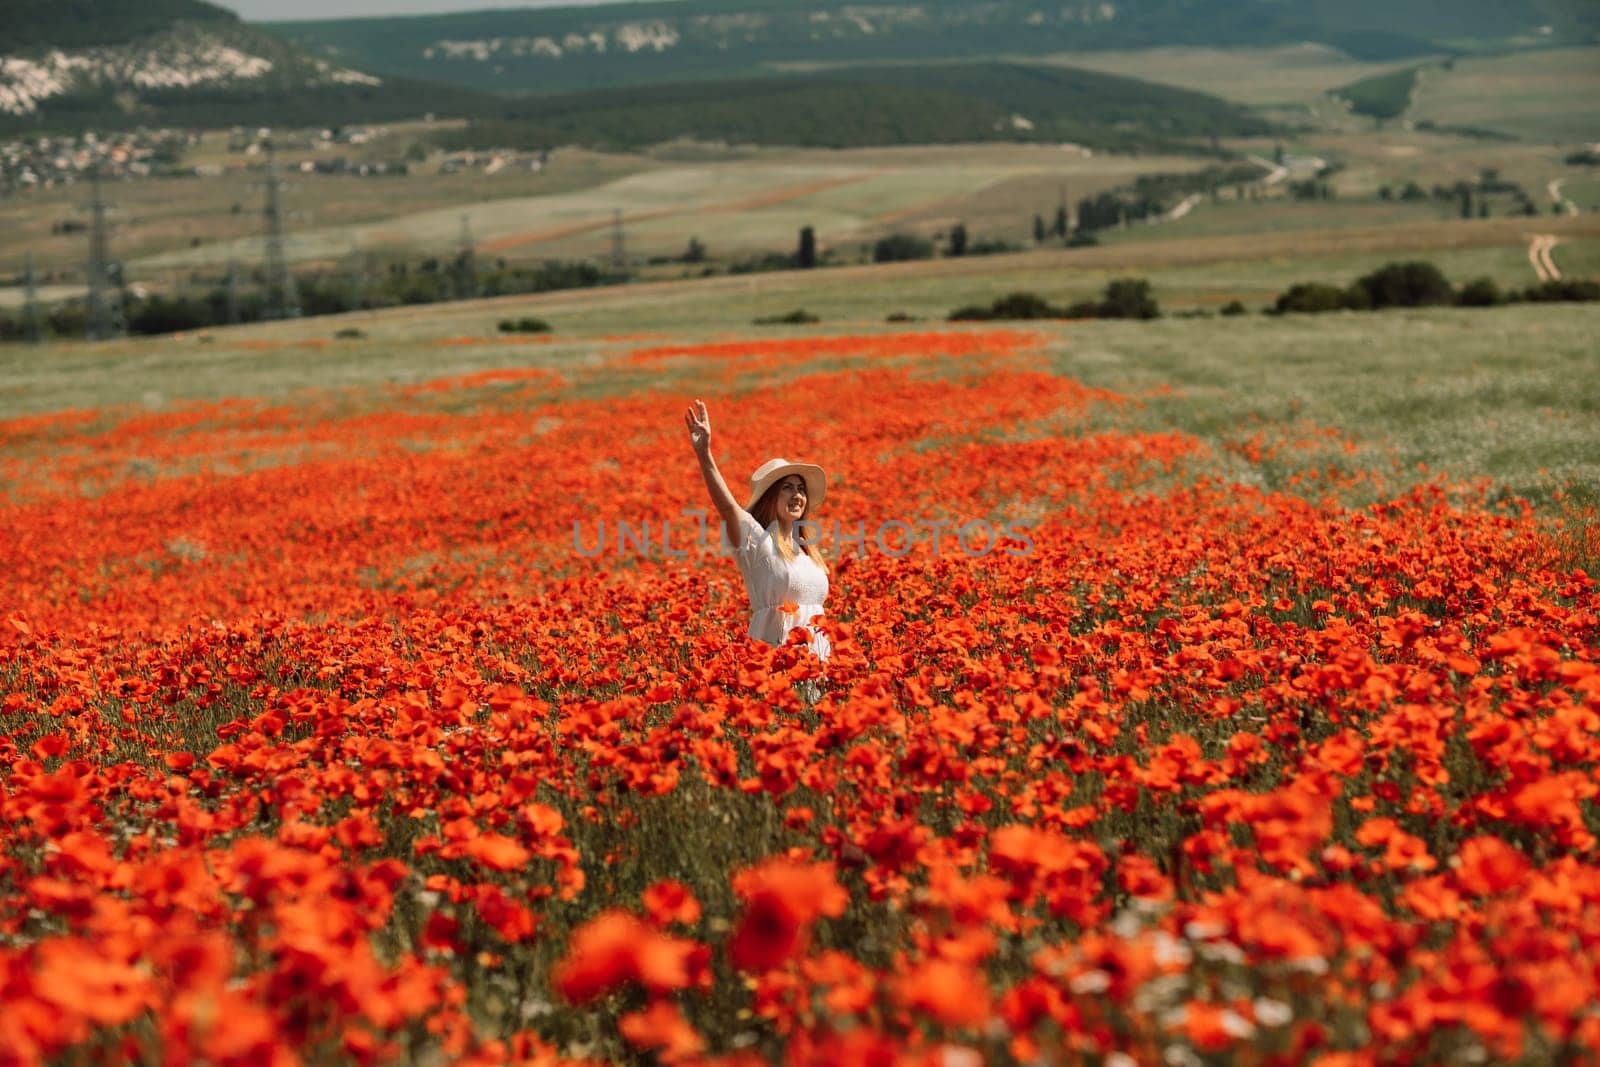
(554, 50)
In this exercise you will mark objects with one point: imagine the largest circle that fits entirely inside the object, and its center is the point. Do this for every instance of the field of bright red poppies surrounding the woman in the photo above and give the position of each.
(332, 733)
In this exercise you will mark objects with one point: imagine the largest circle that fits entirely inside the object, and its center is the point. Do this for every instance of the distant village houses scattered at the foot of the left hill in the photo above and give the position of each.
(50, 161)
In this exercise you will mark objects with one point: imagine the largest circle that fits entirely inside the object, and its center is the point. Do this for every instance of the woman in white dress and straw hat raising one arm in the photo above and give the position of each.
(774, 543)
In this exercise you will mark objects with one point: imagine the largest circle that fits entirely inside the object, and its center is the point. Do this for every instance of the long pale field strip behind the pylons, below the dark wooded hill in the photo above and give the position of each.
(754, 202)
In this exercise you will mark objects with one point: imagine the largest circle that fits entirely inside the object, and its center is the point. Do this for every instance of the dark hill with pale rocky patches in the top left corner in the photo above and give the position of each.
(105, 65)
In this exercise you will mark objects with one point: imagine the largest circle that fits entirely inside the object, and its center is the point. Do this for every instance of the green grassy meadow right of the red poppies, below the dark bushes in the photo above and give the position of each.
(1508, 394)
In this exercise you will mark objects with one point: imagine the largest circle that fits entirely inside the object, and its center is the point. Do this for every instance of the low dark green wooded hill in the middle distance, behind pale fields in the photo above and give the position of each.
(892, 105)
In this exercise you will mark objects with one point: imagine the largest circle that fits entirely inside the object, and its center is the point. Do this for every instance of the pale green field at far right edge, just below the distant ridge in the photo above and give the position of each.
(1535, 95)
